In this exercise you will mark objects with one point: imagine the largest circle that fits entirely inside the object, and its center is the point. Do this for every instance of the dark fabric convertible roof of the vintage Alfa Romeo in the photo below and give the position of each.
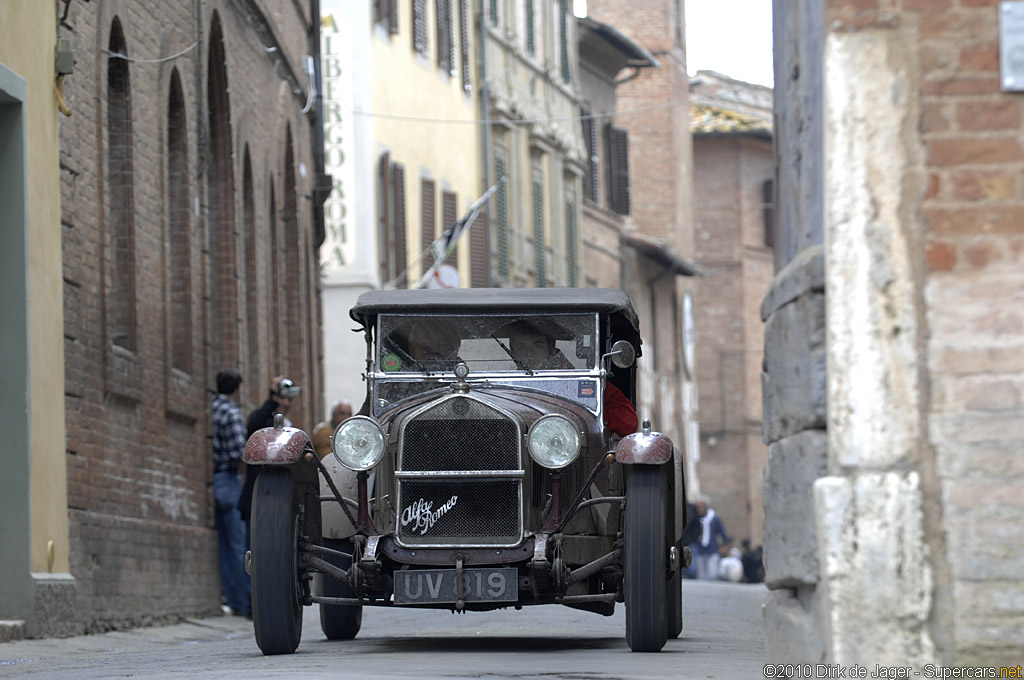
(497, 301)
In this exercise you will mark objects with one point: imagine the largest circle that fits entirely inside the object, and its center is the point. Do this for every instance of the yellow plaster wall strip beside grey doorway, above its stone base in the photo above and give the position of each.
(28, 41)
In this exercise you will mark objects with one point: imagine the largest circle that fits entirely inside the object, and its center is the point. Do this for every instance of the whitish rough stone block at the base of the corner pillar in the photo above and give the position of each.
(877, 582)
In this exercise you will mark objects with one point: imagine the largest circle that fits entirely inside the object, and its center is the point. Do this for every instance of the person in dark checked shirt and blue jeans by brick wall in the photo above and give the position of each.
(229, 445)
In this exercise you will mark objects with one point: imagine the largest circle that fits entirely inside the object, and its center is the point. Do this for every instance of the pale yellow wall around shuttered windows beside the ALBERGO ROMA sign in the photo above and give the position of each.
(429, 124)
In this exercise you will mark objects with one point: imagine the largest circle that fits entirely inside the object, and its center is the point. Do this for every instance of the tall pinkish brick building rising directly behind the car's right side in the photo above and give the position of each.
(653, 131)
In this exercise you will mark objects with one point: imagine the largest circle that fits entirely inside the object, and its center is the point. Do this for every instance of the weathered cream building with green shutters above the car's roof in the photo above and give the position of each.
(531, 102)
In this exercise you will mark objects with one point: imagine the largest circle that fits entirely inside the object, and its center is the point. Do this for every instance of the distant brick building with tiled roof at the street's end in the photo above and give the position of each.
(732, 122)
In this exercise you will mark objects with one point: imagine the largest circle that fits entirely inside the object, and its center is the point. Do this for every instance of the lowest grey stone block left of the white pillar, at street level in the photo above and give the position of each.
(793, 634)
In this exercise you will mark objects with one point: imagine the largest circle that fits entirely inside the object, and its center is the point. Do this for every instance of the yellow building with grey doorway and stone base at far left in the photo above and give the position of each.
(37, 589)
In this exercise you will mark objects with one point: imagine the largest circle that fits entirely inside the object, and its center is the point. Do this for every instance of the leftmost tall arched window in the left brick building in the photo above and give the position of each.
(121, 259)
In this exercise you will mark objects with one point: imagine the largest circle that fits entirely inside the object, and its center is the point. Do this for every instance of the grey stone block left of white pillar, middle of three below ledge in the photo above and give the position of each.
(791, 546)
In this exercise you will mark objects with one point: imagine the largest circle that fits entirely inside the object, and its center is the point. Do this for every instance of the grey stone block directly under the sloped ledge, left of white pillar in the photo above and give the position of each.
(794, 384)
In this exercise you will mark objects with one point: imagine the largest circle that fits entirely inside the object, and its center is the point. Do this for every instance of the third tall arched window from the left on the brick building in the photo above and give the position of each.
(221, 197)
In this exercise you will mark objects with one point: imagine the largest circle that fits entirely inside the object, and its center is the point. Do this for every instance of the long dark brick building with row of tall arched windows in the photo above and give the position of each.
(190, 171)
